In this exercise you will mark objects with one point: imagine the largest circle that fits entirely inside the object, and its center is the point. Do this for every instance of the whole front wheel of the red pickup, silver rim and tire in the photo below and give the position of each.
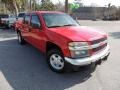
(56, 60)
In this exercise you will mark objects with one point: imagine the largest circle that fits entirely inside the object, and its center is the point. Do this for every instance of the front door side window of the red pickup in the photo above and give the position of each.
(35, 22)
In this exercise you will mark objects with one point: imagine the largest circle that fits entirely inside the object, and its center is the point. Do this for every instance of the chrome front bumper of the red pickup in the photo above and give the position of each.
(88, 60)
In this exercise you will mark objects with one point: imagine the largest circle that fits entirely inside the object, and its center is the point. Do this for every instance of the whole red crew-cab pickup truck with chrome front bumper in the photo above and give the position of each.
(65, 42)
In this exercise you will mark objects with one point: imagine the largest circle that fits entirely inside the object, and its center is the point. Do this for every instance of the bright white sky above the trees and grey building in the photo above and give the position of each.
(97, 2)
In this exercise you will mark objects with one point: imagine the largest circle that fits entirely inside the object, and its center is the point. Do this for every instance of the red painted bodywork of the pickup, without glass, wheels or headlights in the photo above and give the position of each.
(60, 36)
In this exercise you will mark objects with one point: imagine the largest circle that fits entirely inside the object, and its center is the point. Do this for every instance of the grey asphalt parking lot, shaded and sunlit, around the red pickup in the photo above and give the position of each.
(25, 68)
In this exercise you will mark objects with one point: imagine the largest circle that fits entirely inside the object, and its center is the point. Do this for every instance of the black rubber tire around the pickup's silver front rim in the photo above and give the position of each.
(59, 53)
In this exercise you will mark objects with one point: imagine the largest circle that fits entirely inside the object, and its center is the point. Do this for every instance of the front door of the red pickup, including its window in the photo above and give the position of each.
(36, 32)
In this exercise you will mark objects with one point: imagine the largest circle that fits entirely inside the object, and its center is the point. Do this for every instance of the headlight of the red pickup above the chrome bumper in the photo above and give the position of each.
(79, 49)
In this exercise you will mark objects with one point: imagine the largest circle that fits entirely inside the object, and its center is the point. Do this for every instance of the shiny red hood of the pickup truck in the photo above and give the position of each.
(78, 33)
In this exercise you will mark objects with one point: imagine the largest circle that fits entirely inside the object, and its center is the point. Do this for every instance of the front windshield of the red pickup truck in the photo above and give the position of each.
(58, 20)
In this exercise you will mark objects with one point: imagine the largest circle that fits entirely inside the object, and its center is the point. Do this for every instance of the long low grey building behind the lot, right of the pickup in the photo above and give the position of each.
(93, 13)
